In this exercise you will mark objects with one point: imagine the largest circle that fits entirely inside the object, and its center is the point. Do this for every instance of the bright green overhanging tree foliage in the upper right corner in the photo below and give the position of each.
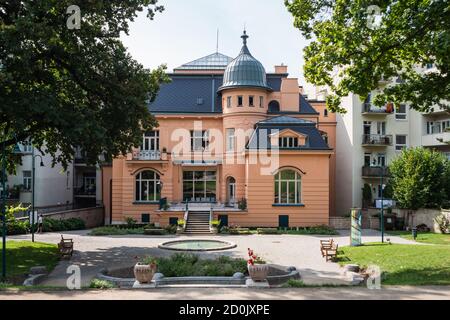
(356, 44)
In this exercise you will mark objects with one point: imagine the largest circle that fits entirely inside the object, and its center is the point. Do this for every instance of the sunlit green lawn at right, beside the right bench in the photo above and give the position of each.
(403, 264)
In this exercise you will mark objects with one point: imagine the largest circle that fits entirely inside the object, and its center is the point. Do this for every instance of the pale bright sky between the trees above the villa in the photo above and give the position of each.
(187, 30)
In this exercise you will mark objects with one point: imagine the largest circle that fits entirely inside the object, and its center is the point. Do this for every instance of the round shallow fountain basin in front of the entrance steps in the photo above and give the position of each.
(197, 245)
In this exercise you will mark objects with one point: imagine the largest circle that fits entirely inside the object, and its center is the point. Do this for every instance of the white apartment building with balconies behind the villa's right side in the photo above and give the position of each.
(368, 138)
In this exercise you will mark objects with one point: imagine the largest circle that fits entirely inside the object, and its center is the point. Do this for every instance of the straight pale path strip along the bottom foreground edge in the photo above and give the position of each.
(348, 293)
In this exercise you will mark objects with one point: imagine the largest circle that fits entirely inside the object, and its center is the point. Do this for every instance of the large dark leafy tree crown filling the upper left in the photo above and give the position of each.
(73, 87)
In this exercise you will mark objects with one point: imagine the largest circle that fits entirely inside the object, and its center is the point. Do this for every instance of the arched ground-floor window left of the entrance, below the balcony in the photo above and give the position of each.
(148, 186)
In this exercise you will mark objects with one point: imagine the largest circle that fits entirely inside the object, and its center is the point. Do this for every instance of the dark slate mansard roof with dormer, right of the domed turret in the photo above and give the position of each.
(261, 137)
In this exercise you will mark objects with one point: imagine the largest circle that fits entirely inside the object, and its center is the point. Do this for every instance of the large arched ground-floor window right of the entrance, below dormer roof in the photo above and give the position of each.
(288, 187)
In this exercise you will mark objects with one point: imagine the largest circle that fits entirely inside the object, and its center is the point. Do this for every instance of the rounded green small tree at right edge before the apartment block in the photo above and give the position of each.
(420, 178)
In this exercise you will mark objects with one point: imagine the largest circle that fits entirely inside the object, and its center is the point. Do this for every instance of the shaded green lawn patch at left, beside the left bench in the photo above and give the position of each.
(22, 255)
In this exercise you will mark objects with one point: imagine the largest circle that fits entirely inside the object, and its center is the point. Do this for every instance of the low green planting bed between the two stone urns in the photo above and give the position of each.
(183, 265)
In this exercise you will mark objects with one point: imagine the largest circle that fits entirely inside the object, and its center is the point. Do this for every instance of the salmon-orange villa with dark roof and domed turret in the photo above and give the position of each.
(234, 144)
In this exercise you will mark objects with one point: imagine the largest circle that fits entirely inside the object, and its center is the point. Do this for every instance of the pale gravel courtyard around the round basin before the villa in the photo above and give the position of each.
(301, 251)
